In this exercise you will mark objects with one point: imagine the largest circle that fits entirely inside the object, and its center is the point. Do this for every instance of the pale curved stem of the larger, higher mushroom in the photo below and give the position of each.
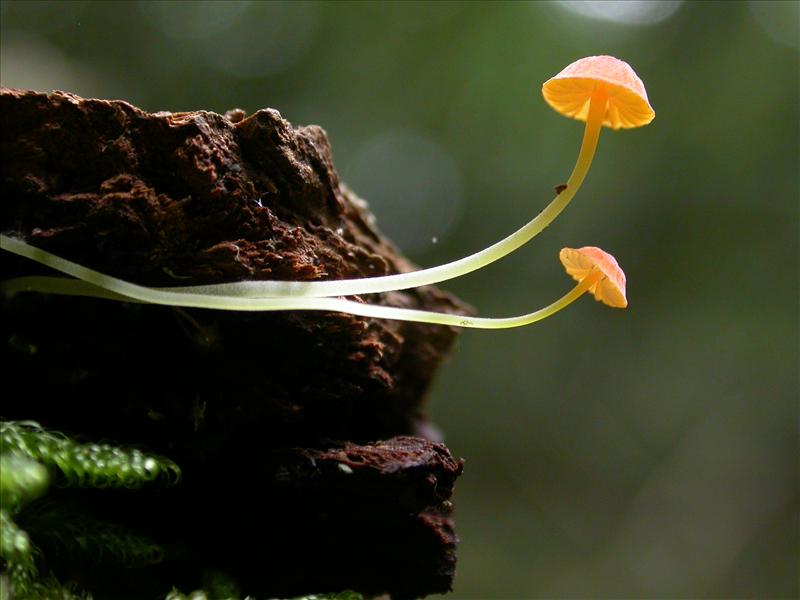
(368, 285)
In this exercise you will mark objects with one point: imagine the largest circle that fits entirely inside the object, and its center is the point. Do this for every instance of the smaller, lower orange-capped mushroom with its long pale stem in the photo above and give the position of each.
(595, 271)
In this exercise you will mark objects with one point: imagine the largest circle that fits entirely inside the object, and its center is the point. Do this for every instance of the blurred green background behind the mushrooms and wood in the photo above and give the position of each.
(647, 453)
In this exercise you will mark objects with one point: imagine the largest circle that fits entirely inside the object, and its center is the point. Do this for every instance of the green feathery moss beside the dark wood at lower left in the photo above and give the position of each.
(29, 455)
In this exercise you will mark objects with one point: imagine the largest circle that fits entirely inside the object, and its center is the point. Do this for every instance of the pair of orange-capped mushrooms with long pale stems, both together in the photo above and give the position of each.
(599, 90)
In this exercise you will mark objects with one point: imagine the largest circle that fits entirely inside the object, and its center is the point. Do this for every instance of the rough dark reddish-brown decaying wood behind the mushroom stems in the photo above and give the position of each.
(275, 418)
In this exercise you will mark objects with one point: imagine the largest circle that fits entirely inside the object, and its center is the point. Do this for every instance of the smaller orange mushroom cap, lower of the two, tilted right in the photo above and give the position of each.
(610, 288)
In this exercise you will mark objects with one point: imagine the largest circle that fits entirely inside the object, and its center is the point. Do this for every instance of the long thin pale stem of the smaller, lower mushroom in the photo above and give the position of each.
(117, 289)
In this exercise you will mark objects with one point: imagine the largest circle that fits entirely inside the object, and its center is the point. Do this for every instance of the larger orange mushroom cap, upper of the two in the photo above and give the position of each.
(569, 92)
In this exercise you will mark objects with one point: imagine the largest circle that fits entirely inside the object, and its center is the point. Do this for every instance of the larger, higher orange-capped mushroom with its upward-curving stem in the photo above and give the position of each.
(601, 90)
